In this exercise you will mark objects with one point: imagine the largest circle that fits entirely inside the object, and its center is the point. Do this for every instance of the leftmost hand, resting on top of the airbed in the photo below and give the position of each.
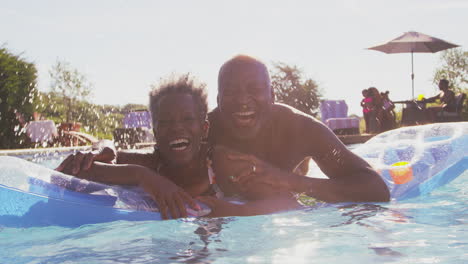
(82, 161)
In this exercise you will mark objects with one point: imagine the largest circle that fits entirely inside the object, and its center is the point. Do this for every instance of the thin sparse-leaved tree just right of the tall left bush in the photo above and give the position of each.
(71, 85)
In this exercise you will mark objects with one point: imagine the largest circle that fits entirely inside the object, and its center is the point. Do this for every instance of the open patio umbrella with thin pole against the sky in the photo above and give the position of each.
(414, 42)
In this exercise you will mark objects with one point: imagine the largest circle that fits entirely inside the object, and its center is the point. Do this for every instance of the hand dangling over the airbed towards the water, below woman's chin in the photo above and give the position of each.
(170, 197)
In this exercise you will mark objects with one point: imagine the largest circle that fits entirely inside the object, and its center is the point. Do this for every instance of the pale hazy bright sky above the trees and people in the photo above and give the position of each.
(123, 46)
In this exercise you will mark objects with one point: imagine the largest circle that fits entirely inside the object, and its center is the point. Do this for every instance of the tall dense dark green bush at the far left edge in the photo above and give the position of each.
(17, 97)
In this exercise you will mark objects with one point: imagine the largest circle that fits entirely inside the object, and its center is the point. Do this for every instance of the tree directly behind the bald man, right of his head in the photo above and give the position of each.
(291, 88)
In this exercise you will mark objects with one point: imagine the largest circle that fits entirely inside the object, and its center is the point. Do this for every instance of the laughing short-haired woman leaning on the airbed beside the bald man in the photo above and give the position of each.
(176, 171)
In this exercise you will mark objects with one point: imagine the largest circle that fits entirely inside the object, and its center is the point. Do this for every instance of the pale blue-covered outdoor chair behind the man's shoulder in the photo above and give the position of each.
(334, 114)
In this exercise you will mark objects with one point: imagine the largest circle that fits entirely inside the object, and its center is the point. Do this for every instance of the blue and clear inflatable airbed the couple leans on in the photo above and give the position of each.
(412, 161)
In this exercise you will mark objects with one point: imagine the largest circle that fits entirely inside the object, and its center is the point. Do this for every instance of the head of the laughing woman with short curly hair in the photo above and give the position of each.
(179, 120)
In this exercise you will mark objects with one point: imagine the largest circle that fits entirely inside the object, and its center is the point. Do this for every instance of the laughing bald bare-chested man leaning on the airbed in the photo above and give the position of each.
(276, 138)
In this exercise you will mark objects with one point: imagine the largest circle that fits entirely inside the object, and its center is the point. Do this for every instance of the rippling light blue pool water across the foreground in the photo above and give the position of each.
(426, 229)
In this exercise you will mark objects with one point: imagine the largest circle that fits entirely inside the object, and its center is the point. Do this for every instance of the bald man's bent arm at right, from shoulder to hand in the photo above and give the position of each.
(351, 179)
